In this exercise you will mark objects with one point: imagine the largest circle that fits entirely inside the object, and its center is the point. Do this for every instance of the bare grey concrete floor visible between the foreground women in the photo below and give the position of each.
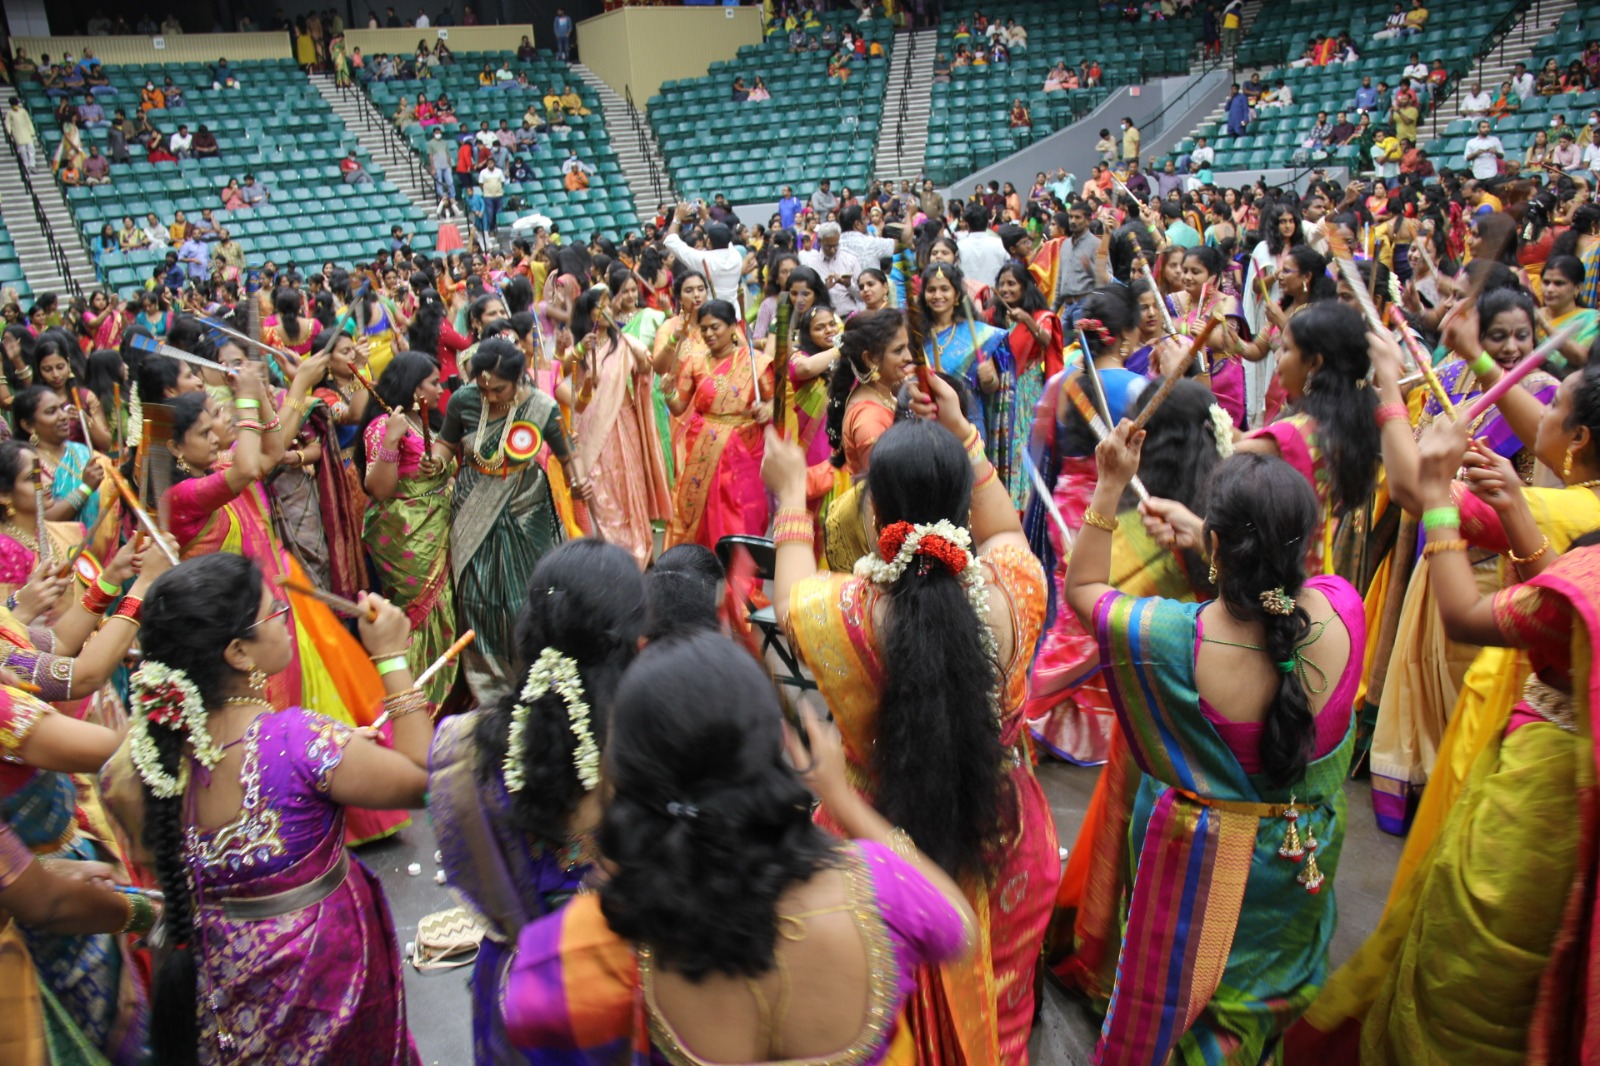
(441, 1012)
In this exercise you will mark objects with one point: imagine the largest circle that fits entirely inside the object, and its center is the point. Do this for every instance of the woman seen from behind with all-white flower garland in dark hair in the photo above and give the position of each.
(518, 825)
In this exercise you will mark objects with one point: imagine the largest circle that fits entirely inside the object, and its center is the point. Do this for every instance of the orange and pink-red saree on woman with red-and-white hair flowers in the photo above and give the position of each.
(978, 1009)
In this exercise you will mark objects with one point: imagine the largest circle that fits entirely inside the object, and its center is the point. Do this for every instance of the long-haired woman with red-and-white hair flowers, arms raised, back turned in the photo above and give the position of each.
(935, 630)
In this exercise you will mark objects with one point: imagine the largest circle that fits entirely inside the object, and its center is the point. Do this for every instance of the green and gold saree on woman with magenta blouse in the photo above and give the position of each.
(407, 539)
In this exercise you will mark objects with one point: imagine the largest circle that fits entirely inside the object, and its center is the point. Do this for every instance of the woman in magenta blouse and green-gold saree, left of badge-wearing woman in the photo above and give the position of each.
(407, 526)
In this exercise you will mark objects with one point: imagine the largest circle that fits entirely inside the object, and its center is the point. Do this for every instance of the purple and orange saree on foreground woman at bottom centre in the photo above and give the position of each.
(577, 985)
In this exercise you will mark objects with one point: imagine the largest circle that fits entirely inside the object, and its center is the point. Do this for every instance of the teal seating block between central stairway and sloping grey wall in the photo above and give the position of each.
(970, 122)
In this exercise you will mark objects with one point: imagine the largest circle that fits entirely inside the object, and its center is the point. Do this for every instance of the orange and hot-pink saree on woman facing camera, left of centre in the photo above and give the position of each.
(721, 489)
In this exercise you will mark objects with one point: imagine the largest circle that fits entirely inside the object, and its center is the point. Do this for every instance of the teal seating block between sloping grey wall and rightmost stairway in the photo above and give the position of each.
(1276, 137)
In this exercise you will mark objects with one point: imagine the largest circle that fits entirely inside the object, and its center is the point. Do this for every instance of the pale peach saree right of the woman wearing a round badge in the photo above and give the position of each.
(620, 452)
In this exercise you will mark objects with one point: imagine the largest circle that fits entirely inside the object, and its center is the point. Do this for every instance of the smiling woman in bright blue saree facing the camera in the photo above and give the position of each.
(978, 355)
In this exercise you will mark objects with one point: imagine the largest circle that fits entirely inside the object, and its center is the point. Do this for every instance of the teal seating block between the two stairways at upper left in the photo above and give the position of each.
(606, 207)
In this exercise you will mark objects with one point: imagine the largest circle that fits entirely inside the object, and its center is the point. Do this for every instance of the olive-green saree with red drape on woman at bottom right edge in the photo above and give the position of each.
(1487, 952)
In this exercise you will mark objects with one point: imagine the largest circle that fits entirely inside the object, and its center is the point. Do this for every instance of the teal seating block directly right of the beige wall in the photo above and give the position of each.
(812, 129)
